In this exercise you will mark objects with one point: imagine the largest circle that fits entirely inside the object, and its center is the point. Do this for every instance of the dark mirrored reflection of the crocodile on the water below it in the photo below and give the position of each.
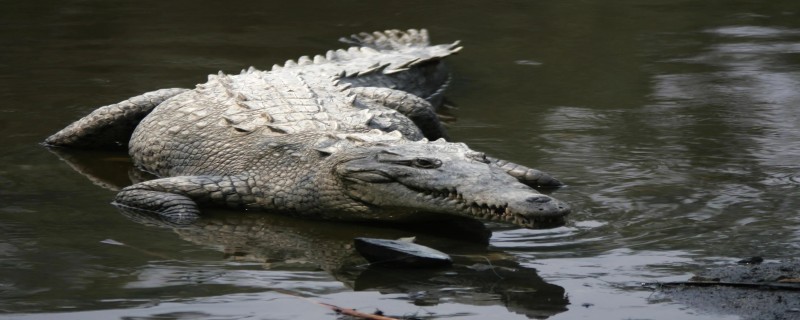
(281, 242)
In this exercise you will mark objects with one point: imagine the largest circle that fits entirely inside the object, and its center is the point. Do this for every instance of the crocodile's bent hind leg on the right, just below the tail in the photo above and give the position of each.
(415, 108)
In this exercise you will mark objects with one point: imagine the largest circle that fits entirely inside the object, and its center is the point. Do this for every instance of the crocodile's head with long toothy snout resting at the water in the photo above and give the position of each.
(395, 180)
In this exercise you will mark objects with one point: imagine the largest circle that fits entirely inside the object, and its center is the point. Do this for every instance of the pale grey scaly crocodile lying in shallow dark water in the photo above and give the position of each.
(349, 135)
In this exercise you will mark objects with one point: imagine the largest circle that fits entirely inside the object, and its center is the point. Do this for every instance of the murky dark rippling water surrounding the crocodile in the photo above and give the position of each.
(675, 124)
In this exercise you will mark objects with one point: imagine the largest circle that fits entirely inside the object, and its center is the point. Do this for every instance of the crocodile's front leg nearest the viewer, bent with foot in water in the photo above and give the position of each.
(175, 199)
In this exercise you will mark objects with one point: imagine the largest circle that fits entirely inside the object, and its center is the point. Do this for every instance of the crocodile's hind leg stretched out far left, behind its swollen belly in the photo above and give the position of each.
(111, 126)
